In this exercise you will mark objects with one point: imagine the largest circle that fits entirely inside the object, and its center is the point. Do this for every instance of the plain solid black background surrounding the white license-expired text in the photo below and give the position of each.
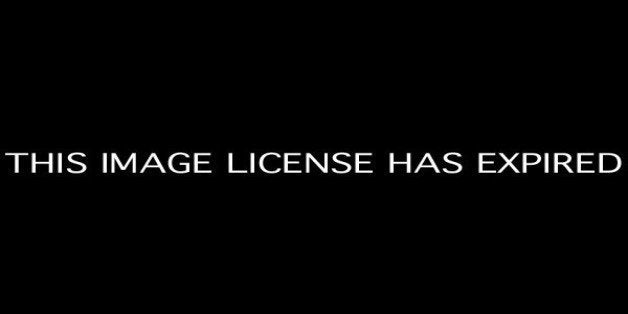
(399, 80)
